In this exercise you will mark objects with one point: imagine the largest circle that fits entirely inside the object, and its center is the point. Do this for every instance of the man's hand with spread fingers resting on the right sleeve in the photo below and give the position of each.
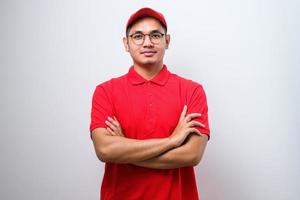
(185, 126)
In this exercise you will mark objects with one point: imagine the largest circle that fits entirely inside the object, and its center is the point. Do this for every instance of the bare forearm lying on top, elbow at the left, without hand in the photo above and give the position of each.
(125, 150)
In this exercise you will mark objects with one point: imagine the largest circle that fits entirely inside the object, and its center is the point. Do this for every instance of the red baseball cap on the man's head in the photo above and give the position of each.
(146, 12)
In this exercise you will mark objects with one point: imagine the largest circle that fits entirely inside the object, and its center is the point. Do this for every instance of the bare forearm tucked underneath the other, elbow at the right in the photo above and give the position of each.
(189, 154)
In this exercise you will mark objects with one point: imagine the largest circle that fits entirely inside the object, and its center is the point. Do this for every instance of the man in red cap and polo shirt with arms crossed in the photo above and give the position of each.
(149, 126)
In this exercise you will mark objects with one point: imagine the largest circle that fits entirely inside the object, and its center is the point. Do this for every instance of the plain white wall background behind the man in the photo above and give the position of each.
(244, 53)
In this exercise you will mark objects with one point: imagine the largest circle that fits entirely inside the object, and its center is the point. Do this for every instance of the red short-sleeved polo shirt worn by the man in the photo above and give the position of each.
(148, 109)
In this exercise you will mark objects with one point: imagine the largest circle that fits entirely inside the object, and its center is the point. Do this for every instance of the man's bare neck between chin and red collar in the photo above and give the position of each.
(148, 72)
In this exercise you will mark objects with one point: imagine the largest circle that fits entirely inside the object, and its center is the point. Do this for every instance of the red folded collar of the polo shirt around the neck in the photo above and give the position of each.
(160, 79)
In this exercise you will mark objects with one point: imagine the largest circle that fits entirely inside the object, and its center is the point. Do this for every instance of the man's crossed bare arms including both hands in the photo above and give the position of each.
(184, 147)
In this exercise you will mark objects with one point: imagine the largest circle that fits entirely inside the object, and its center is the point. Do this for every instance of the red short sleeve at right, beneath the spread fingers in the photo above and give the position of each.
(198, 104)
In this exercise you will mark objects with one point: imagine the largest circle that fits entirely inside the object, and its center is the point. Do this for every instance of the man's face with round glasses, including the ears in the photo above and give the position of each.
(147, 52)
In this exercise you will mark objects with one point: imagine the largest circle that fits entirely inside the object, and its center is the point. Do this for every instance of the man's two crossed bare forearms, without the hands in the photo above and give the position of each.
(151, 153)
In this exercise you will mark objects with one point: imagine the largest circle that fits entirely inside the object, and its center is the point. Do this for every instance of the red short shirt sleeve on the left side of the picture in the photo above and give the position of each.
(101, 108)
